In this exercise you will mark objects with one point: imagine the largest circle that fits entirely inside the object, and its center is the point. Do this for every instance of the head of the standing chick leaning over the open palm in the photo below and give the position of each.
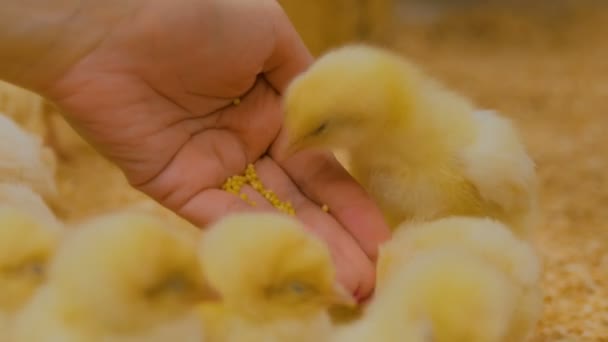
(344, 99)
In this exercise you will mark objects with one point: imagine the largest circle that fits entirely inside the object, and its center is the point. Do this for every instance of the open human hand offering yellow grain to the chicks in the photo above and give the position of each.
(151, 85)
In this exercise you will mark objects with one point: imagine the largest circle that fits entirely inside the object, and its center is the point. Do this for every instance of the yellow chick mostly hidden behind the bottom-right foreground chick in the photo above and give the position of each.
(491, 241)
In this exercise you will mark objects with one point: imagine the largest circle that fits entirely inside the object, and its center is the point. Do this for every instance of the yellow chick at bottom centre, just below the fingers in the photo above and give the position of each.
(276, 280)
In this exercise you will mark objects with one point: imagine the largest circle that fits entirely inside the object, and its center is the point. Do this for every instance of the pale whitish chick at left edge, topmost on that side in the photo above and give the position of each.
(24, 159)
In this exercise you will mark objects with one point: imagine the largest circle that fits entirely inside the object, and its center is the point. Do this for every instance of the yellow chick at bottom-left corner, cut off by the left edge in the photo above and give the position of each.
(26, 246)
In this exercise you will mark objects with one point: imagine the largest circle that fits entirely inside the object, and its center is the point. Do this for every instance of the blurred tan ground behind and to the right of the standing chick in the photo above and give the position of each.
(545, 65)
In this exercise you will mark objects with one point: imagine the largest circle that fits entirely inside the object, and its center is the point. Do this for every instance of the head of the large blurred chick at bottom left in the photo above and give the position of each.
(128, 271)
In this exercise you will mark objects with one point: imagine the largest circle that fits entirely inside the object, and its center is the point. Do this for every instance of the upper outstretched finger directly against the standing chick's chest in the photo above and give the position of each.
(323, 179)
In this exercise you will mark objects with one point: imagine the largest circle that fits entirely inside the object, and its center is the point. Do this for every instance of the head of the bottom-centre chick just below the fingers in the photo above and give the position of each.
(268, 265)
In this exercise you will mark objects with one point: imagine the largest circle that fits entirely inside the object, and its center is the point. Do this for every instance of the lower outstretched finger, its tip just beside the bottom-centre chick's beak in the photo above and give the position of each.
(354, 269)
